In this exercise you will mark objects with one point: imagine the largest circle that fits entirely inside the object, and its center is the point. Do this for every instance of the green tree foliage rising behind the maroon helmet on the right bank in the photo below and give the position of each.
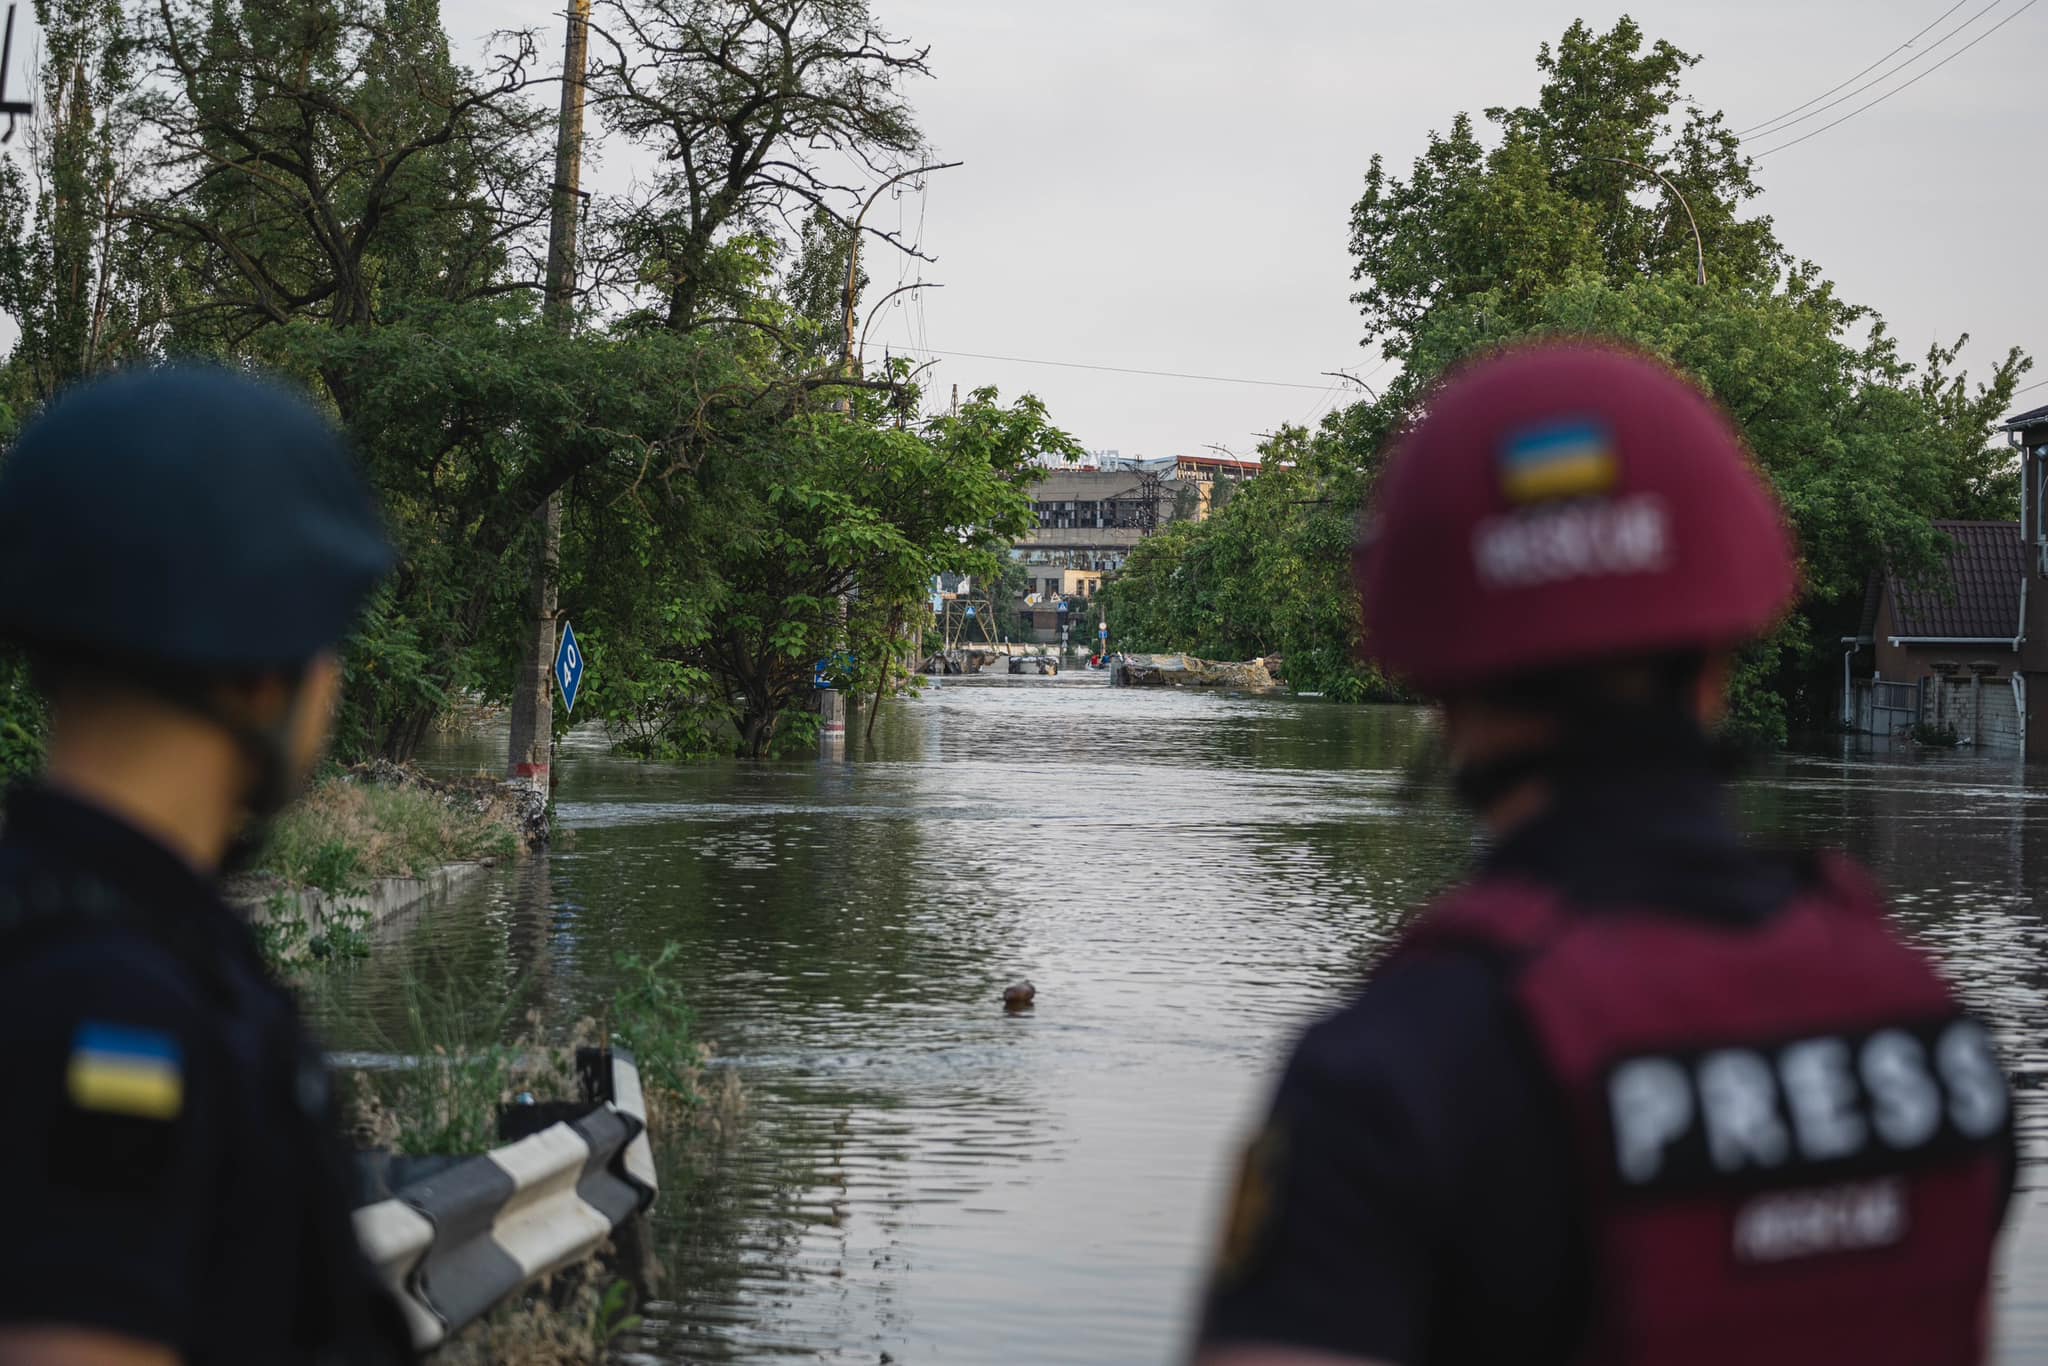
(1558, 224)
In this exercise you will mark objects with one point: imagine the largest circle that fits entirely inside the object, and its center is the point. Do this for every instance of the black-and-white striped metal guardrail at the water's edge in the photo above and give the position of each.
(464, 1238)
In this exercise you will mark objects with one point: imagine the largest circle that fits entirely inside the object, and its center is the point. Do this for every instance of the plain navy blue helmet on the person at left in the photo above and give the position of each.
(185, 517)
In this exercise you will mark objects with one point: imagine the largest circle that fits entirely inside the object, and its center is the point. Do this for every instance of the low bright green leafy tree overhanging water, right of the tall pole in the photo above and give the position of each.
(820, 542)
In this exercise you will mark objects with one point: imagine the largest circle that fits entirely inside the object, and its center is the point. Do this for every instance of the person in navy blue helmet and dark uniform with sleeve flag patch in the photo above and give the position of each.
(179, 554)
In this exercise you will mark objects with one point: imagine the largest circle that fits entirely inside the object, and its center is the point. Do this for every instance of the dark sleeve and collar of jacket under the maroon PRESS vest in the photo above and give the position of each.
(1412, 1197)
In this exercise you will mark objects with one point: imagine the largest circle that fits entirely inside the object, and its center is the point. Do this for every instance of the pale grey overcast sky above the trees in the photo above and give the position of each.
(1166, 187)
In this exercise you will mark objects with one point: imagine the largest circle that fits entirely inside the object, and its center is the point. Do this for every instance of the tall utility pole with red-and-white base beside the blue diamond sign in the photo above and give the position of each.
(534, 699)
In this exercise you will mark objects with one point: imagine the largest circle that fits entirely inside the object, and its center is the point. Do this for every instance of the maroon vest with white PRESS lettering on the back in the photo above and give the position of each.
(1791, 1138)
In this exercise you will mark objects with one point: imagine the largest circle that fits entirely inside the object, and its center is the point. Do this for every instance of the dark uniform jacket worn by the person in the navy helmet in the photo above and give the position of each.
(169, 1142)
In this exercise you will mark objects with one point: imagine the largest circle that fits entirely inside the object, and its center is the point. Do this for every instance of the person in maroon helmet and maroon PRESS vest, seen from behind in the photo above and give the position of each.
(1637, 1091)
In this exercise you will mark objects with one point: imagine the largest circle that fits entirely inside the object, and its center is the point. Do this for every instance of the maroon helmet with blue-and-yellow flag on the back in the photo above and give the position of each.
(1560, 505)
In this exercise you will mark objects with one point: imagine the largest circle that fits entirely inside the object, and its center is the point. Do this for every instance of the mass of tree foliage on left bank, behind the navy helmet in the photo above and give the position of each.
(318, 187)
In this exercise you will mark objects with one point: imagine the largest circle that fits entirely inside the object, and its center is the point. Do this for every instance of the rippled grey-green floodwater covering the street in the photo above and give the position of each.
(1187, 880)
